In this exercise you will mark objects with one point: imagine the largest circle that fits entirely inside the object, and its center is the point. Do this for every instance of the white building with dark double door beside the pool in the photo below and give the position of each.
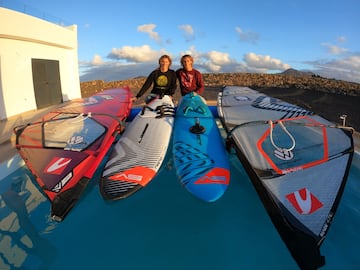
(38, 63)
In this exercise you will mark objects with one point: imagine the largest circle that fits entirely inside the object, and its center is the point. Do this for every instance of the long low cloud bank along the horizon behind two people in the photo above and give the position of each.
(134, 61)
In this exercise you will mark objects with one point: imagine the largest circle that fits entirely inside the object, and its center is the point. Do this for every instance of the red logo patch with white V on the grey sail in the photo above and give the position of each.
(304, 201)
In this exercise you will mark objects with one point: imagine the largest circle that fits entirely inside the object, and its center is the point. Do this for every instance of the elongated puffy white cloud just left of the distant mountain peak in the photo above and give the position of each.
(264, 62)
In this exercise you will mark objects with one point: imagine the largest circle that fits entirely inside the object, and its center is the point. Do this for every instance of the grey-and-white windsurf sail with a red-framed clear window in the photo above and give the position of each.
(298, 162)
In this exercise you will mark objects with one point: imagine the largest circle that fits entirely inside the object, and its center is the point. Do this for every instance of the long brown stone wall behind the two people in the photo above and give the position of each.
(254, 80)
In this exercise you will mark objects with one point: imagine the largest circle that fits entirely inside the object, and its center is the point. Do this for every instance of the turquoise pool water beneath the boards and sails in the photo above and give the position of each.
(161, 227)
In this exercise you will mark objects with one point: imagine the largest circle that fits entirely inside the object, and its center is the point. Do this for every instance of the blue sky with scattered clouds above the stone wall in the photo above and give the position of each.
(121, 39)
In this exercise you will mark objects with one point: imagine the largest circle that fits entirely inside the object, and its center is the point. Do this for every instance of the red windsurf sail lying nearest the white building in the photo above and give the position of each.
(65, 147)
